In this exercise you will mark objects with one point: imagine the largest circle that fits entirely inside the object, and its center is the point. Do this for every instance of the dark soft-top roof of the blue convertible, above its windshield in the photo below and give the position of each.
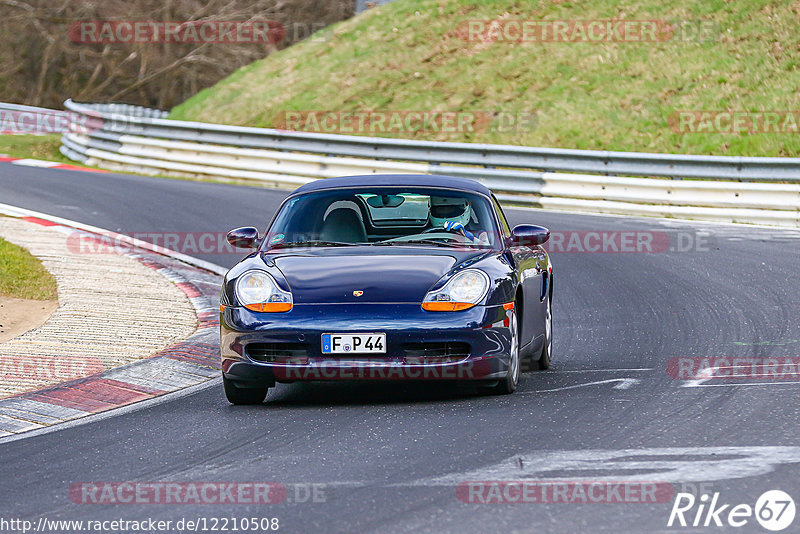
(411, 180)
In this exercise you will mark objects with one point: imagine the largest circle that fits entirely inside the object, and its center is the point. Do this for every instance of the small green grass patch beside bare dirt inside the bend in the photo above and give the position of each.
(22, 276)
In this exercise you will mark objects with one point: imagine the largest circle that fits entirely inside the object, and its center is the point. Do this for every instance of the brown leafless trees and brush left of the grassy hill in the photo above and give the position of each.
(41, 62)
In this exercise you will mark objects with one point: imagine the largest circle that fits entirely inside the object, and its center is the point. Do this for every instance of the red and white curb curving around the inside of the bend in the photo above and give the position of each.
(187, 364)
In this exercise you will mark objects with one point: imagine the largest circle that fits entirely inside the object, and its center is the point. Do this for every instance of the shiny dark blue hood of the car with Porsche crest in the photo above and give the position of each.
(327, 276)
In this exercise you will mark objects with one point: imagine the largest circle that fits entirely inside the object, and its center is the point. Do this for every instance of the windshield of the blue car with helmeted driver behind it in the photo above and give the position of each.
(385, 217)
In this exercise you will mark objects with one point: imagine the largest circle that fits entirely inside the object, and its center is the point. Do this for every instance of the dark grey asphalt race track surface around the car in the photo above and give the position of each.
(388, 456)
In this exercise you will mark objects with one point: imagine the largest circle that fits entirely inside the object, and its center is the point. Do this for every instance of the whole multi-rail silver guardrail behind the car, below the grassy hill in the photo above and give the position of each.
(722, 188)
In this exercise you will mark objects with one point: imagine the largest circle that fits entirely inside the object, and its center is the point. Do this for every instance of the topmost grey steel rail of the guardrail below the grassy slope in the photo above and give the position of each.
(550, 159)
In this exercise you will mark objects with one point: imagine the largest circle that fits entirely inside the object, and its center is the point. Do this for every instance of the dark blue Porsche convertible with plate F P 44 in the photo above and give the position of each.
(386, 277)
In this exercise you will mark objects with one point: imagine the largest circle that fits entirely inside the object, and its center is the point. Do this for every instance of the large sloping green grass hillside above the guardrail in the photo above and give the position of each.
(409, 55)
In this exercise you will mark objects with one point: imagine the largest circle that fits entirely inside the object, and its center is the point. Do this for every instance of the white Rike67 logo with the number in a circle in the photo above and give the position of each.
(774, 510)
